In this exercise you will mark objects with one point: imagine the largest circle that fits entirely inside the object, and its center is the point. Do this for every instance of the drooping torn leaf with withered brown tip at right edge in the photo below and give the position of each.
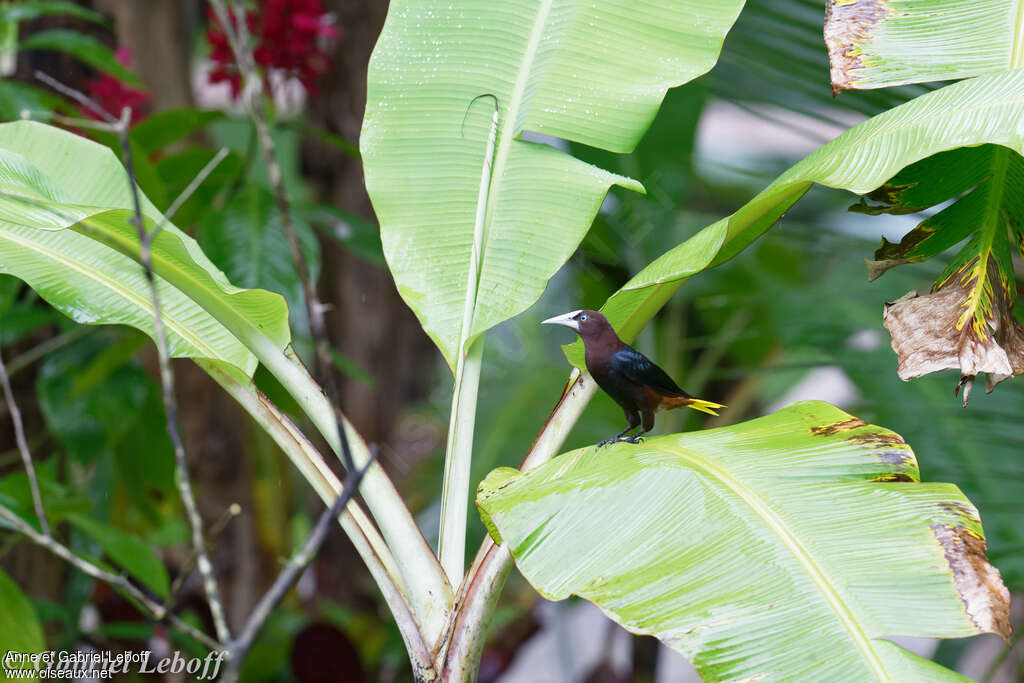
(966, 323)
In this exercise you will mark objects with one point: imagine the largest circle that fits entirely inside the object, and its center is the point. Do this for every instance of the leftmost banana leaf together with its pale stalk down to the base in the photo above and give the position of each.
(83, 219)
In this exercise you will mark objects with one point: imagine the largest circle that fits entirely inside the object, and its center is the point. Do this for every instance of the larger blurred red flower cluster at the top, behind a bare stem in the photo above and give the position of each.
(288, 37)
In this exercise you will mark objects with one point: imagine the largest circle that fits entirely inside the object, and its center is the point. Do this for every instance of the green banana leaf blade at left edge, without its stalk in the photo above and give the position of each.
(64, 226)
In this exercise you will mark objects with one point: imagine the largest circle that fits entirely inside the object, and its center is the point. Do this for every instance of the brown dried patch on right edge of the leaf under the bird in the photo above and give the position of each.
(979, 584)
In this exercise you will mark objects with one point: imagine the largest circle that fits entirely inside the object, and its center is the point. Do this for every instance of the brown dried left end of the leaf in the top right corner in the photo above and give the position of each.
(848, 27)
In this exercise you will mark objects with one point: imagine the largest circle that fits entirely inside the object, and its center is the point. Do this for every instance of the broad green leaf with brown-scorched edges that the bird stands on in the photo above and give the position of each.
(806, 527)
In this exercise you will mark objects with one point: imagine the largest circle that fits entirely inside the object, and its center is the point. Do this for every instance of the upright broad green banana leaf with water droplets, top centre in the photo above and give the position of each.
(595, 73)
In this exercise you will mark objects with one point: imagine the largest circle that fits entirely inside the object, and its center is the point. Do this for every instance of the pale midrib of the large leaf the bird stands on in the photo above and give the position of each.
(792, 543)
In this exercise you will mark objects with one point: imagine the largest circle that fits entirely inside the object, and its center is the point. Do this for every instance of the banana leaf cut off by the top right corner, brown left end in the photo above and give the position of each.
(880, 44)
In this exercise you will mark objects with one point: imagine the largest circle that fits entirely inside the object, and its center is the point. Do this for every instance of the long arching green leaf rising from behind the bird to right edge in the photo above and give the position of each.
(974, 112)
